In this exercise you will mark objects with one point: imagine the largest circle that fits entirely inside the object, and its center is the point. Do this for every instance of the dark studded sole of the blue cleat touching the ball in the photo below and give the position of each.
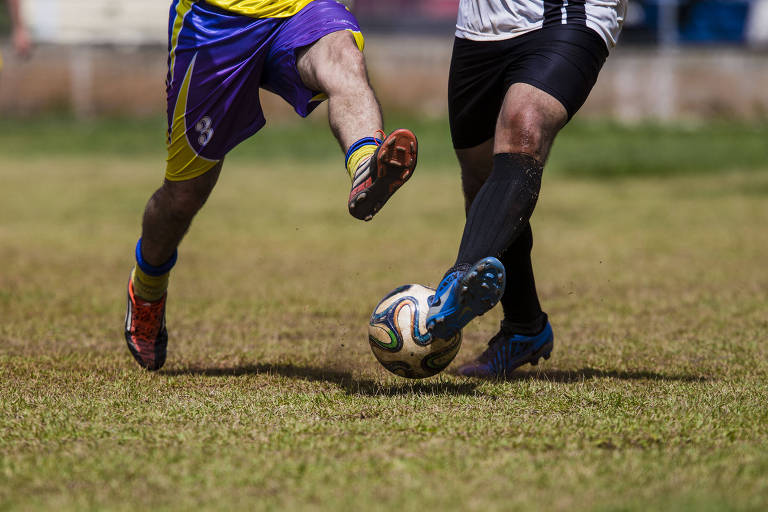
(479, 290)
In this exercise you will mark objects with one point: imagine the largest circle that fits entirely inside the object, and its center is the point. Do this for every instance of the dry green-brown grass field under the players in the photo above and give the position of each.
(654, 276)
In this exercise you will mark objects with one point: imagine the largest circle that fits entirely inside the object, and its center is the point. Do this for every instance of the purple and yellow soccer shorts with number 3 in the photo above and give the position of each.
(218, 60)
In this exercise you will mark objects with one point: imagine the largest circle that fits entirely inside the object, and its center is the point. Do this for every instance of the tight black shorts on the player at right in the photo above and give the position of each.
(563, 61)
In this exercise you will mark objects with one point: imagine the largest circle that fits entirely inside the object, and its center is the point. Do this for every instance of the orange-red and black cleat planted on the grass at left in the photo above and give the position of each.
(145, 331)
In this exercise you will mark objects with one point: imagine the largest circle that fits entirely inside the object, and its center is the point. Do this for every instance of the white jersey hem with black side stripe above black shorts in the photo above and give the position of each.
(490, 20)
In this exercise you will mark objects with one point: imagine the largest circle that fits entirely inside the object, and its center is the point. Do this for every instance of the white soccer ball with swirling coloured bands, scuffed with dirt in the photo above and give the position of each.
(399, 338)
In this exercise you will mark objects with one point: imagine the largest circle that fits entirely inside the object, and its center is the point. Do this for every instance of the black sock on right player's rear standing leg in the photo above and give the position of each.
(520, 300)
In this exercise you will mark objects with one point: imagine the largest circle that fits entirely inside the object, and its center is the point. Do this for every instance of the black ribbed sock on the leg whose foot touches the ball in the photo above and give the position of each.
(502, 208)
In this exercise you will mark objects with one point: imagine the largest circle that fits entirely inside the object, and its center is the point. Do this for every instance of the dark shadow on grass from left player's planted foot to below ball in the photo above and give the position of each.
(344, 379)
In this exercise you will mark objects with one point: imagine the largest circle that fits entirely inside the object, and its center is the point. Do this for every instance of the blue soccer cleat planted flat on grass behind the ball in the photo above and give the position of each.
(507, 351)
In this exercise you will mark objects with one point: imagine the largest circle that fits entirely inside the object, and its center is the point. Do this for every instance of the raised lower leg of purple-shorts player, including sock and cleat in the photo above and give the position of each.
(378, 167)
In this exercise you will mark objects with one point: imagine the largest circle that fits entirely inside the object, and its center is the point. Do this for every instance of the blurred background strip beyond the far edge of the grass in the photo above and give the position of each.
(676, 59)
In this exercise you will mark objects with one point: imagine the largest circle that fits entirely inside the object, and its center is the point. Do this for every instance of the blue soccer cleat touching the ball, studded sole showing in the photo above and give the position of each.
(464, 295)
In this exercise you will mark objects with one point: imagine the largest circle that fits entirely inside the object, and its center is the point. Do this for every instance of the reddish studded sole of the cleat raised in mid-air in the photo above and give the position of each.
(395, 162)
